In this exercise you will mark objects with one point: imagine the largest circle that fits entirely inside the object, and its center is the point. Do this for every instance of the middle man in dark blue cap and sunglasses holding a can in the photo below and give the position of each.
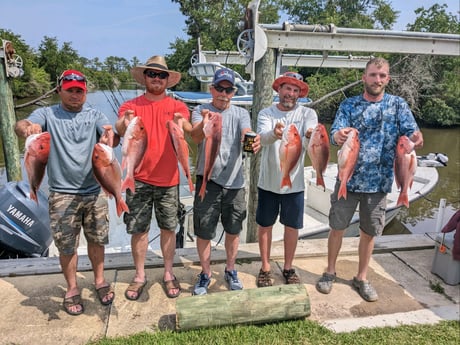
(223, 194)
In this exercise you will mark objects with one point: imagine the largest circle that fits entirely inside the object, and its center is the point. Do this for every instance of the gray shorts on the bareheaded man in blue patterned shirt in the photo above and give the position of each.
(372, 208)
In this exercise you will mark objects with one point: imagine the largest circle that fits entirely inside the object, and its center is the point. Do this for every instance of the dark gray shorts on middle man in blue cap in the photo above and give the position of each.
(227, 204)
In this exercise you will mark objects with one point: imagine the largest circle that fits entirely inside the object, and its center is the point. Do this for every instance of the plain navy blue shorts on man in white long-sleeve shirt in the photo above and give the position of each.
(289, 207)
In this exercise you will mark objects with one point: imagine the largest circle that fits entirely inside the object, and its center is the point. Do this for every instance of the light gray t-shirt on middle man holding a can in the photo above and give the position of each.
(228, 167)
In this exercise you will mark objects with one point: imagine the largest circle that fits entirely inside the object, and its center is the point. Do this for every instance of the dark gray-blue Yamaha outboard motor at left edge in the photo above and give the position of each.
(24, 224)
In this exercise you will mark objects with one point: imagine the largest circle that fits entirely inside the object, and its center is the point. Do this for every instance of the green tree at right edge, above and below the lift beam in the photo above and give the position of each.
(432, 84)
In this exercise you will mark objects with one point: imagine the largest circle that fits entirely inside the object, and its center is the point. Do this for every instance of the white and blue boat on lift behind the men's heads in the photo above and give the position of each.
(204, 72)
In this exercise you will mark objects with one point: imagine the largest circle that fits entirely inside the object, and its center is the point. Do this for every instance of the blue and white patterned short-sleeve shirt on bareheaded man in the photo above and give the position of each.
(380, 124)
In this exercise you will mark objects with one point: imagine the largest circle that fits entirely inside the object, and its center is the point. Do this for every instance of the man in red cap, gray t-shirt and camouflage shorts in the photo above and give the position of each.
(75, 201)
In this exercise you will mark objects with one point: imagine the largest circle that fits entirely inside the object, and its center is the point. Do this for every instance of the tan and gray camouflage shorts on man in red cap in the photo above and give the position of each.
(69, 213)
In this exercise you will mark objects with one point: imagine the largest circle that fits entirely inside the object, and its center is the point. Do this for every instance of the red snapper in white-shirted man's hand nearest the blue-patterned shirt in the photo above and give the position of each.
(318, 151)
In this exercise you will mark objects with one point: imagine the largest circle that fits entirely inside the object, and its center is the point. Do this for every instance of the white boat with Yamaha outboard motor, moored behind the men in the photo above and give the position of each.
(18, 212)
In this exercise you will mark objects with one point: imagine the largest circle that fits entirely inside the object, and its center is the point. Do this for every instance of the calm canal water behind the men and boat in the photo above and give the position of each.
(420, 218)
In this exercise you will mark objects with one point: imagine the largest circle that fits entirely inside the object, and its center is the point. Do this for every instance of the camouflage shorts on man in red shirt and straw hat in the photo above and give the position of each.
(141, 203)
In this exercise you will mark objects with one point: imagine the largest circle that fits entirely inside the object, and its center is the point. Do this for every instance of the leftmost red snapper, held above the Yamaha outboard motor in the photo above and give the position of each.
(37, 149)
